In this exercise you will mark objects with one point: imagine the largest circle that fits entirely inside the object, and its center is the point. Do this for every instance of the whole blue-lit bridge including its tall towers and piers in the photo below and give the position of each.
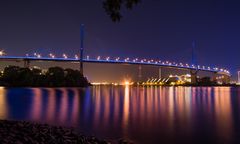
(194, 69)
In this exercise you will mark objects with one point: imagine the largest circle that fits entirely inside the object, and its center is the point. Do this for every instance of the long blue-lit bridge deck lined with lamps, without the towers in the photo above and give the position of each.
(108, 60)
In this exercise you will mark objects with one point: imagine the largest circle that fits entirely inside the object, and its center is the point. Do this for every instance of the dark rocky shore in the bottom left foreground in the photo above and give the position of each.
(18, 132)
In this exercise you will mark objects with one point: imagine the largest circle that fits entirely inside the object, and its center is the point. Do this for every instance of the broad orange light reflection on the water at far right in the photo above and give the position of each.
(223, 111)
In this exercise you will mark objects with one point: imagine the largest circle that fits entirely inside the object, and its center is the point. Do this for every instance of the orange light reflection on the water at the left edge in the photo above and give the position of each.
(3, 104)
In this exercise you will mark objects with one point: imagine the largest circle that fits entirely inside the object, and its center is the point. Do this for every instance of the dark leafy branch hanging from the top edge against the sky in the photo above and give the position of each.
(113, 7)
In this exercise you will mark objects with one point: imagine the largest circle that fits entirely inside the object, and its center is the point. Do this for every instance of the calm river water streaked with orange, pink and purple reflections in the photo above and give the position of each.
(143, 115)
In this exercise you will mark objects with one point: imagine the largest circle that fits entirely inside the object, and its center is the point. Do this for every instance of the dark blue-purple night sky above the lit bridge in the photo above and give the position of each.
(162, 29)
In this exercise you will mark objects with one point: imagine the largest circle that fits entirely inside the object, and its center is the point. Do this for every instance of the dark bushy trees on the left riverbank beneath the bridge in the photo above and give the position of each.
(53, 77)
